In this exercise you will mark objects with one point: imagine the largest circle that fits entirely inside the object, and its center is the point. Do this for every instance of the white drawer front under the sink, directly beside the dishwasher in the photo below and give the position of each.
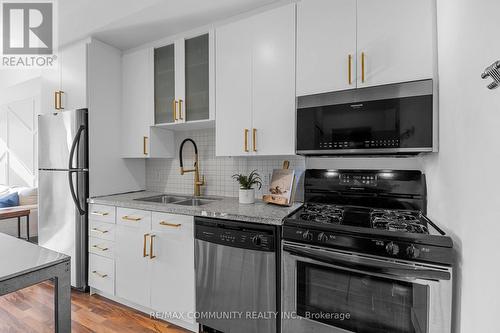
(172, 223)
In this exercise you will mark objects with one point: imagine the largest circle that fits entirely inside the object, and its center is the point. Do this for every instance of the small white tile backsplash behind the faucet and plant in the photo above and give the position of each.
(162, 175)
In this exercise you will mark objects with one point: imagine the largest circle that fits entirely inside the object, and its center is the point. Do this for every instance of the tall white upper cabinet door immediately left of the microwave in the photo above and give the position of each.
(273, 88)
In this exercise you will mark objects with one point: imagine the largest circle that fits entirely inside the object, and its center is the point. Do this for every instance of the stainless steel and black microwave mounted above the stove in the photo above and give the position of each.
(390, 119)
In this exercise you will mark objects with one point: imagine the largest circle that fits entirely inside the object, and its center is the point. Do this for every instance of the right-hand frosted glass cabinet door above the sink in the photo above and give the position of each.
(197, 78)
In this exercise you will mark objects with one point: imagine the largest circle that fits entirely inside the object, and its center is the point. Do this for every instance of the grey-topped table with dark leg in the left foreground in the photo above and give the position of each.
(23, 264)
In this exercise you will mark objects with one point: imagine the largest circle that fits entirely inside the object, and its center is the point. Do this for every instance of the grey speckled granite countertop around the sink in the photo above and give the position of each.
(226, 208)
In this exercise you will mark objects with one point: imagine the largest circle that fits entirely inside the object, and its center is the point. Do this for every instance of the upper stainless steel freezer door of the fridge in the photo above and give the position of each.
(57, 134)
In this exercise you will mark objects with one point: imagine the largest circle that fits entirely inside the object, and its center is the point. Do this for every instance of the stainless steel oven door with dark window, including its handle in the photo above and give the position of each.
(326, 290)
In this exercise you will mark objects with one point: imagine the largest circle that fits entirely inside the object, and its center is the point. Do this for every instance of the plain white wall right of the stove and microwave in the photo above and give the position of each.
(463, 187)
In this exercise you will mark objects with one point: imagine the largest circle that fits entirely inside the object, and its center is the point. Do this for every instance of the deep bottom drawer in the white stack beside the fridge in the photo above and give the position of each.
(102, 274)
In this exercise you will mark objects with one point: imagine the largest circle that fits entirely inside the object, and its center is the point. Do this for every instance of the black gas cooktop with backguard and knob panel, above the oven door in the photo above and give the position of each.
(378, 212)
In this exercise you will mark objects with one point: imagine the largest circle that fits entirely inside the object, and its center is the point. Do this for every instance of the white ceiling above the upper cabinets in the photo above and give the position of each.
(129, 23)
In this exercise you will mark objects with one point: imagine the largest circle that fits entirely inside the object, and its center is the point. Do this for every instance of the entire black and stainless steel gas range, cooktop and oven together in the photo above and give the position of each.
(361, 256)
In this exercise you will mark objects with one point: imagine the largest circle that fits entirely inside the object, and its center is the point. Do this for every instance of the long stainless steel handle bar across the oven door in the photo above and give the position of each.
(367, 265)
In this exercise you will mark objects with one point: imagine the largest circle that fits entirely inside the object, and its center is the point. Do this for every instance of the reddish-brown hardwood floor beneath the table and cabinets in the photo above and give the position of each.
(31, 310)
